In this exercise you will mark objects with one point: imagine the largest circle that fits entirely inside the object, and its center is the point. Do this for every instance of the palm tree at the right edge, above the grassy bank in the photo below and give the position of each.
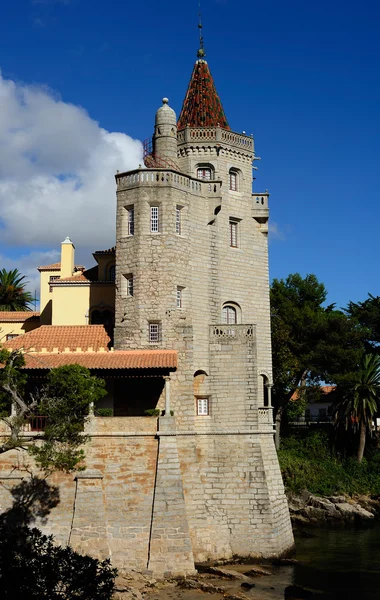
(359, 402)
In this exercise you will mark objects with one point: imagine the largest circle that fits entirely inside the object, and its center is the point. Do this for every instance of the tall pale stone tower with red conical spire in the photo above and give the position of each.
(192, 276)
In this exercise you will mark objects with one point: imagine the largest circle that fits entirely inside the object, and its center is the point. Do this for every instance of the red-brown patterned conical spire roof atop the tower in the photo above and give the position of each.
(202, 106)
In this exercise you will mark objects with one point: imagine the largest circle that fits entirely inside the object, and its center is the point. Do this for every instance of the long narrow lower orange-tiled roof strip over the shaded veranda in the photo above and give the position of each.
(120, 359)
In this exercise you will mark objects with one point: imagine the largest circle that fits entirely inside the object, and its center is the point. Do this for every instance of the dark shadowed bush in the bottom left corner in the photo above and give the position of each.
(33, 567)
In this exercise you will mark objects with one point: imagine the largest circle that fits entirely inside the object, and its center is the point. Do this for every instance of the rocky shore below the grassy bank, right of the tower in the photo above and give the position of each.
(309, 510)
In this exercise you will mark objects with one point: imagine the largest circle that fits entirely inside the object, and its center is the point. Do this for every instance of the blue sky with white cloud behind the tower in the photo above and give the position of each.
(303, 77)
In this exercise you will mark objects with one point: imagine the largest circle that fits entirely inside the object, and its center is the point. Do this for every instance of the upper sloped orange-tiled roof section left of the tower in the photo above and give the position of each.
(62, 337)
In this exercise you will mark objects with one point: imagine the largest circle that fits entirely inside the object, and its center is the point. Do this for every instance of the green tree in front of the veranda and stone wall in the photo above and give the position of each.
(64, 400)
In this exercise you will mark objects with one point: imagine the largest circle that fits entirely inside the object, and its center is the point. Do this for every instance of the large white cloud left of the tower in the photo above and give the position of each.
(57, 169)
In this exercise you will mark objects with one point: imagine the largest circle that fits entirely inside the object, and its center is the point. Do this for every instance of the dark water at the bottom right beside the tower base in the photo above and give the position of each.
(340, 563)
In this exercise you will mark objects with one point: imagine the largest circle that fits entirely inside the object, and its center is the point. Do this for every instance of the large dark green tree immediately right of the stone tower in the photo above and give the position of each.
(311, 342)
